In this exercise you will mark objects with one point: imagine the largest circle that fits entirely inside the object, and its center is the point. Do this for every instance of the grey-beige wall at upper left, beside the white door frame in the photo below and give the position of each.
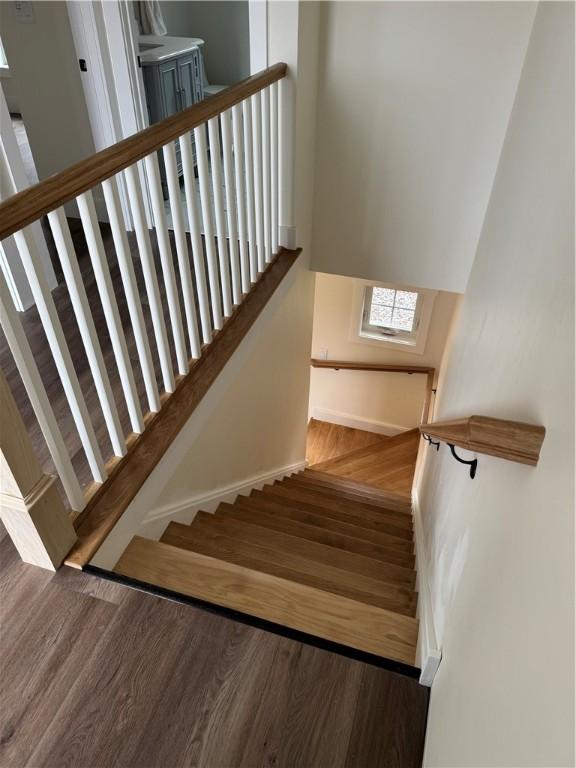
(46, 80)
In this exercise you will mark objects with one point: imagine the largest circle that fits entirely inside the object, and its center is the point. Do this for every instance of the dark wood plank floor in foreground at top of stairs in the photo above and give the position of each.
(95, 675)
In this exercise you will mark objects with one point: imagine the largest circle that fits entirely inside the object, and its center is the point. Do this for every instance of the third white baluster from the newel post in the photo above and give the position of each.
(83, 313)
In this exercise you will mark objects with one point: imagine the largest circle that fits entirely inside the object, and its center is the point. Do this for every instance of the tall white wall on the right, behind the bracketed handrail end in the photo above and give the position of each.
(501, 547)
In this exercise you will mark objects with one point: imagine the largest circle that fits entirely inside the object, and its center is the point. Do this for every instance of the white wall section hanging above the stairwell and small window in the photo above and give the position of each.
(413, 103)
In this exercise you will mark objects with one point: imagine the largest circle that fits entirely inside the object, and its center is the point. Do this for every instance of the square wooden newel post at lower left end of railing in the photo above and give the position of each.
(30, 505)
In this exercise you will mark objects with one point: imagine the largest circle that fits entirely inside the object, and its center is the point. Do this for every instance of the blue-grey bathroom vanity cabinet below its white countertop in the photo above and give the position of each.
(172, 85)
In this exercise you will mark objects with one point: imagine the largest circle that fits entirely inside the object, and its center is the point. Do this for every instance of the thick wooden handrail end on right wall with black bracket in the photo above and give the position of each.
(512, 440)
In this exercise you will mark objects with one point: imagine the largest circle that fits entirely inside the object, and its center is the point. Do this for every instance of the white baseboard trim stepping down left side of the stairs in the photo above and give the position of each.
(208, 502)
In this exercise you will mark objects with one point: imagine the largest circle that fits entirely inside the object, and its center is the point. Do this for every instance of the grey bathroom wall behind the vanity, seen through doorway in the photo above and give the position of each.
(223, 26)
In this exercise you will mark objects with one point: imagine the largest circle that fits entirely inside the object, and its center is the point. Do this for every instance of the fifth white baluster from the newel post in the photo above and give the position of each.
(130, 286)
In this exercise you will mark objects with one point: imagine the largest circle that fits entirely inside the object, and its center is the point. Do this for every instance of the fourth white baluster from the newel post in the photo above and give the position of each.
(111, 314)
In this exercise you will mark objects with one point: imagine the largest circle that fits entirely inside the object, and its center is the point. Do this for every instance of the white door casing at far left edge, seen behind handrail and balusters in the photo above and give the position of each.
(13, 179)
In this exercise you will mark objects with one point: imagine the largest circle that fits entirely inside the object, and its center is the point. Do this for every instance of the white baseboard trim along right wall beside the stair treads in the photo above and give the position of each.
(428, 653)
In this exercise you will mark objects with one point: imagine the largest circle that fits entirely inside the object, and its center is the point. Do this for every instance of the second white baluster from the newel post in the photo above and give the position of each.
(57, 343)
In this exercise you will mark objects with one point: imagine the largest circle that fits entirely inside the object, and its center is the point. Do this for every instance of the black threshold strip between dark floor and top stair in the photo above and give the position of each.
(254, 621)
